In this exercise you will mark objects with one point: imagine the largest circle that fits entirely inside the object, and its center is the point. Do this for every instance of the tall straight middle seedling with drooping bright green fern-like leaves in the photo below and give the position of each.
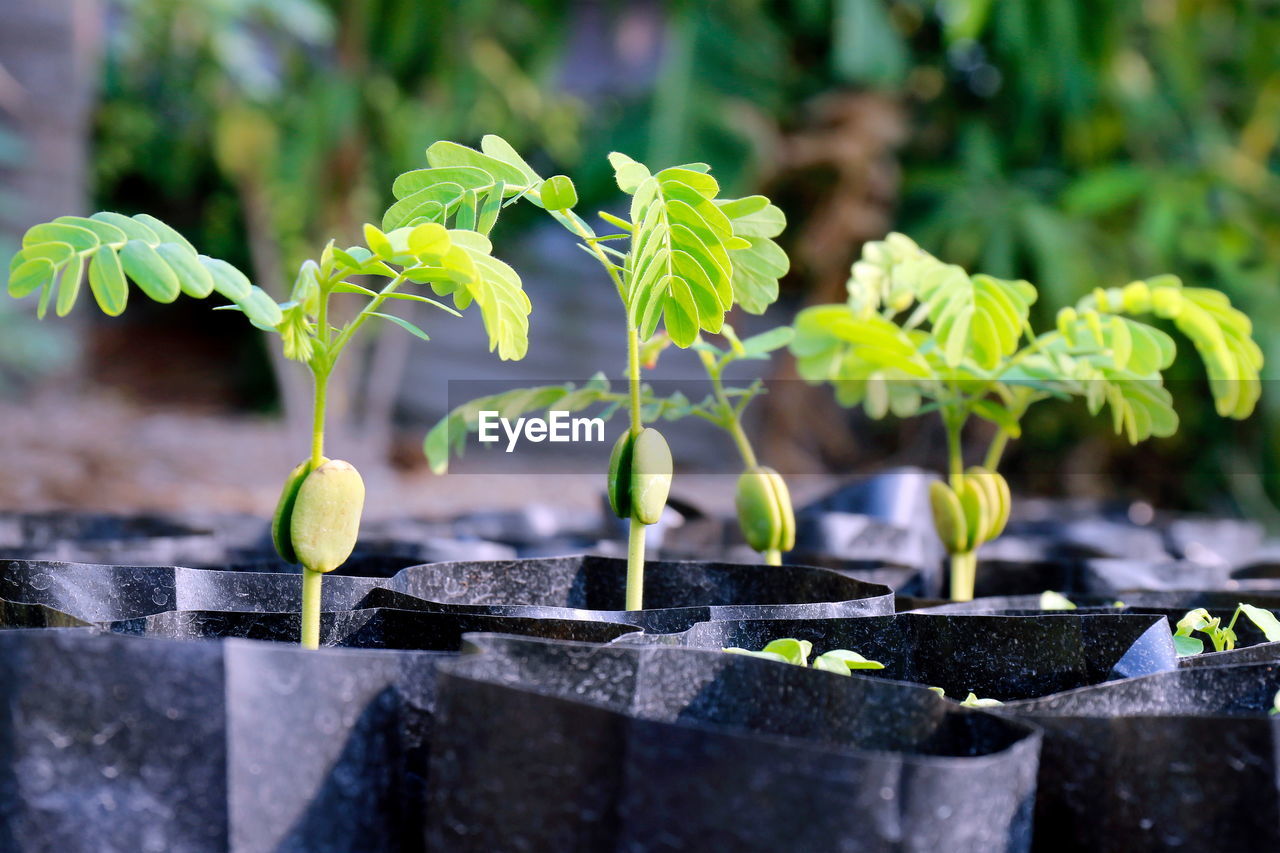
(689, 258)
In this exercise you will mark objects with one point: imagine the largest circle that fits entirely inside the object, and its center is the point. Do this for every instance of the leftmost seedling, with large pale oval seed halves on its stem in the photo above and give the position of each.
(436, 235)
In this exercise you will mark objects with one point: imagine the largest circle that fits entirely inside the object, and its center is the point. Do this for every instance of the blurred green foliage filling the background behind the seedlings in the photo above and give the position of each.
(1078, 144)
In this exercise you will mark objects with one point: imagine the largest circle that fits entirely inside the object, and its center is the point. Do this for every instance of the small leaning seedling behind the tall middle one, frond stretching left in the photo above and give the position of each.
(764, 501)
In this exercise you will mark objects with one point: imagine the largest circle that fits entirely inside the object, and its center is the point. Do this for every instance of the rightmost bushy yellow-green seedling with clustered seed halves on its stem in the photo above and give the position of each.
(918, 336)
